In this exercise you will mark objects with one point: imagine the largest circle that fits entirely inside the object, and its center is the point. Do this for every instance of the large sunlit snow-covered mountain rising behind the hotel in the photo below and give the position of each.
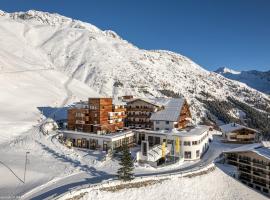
(41, 53)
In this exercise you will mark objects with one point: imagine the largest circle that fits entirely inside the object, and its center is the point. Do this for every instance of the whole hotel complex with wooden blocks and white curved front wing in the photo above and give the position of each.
(161, 128)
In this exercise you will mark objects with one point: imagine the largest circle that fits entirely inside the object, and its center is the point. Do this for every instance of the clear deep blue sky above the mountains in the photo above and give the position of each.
(232, 33)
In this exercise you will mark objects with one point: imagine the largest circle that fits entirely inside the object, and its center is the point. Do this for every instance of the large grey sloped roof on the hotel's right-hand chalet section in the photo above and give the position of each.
(171, 111)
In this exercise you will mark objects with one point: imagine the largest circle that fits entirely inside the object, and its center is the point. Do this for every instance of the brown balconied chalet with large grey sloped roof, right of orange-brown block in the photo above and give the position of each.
(157, 113)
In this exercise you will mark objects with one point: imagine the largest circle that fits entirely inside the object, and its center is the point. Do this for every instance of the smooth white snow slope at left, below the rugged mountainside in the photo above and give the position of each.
(28, 81)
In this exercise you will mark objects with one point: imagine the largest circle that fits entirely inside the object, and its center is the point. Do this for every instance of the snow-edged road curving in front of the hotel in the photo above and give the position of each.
(85, 179)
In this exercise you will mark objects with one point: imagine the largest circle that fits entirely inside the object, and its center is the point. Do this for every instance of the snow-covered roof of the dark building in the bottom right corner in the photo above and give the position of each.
(261, 149)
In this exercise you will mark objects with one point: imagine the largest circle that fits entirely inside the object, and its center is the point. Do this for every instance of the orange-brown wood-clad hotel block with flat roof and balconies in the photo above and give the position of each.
(98, 115)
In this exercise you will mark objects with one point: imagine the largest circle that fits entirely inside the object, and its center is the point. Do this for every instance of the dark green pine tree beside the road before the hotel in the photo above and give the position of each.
(125, 172)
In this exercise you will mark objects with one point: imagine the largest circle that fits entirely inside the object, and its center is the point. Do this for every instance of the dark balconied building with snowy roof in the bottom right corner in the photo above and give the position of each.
(252, 162)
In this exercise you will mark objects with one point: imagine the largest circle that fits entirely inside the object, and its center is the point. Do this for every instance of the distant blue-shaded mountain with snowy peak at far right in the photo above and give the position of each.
(253, 78)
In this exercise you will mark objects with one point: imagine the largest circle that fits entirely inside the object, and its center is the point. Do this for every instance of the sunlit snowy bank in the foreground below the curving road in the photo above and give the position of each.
(215, 185)
